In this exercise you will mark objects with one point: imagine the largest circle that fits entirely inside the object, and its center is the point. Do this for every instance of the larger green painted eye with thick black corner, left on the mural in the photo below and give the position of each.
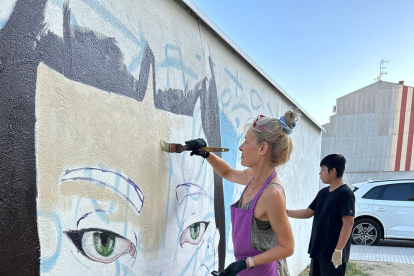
(101, 245)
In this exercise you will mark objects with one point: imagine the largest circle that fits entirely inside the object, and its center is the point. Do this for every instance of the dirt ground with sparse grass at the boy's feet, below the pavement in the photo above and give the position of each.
(378, 269)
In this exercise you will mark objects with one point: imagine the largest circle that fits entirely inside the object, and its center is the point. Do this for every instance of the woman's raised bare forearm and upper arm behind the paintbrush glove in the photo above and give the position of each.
(227, 172)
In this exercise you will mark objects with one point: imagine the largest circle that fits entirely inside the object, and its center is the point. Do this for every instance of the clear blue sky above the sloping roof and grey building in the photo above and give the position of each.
(321, 50)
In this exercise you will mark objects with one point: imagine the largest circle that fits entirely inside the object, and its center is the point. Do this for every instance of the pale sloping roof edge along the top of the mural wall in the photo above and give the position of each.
(191, 5)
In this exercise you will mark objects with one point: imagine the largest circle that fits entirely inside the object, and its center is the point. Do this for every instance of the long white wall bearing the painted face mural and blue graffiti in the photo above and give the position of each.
(88, 89)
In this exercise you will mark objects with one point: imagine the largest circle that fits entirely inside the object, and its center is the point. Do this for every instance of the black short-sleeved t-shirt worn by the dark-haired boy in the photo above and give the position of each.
(329, 209)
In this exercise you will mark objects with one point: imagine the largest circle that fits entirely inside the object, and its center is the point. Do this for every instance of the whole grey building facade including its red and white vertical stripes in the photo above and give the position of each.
(373, 129)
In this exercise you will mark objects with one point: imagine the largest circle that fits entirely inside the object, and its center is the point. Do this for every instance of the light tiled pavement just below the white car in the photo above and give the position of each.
(391, 251)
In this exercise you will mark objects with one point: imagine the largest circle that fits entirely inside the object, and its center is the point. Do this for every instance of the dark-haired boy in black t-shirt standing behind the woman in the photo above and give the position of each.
(333, 210)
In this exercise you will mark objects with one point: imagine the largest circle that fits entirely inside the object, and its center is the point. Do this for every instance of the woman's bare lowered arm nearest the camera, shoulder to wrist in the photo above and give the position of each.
(275, 209)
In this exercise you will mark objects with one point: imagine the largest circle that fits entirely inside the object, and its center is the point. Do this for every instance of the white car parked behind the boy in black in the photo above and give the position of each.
(383, 210)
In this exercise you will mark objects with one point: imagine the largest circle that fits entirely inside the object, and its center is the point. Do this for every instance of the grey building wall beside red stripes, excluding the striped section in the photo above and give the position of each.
(362, 128)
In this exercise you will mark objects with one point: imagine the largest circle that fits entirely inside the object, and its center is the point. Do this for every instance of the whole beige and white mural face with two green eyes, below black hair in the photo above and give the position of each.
(102, 199)
